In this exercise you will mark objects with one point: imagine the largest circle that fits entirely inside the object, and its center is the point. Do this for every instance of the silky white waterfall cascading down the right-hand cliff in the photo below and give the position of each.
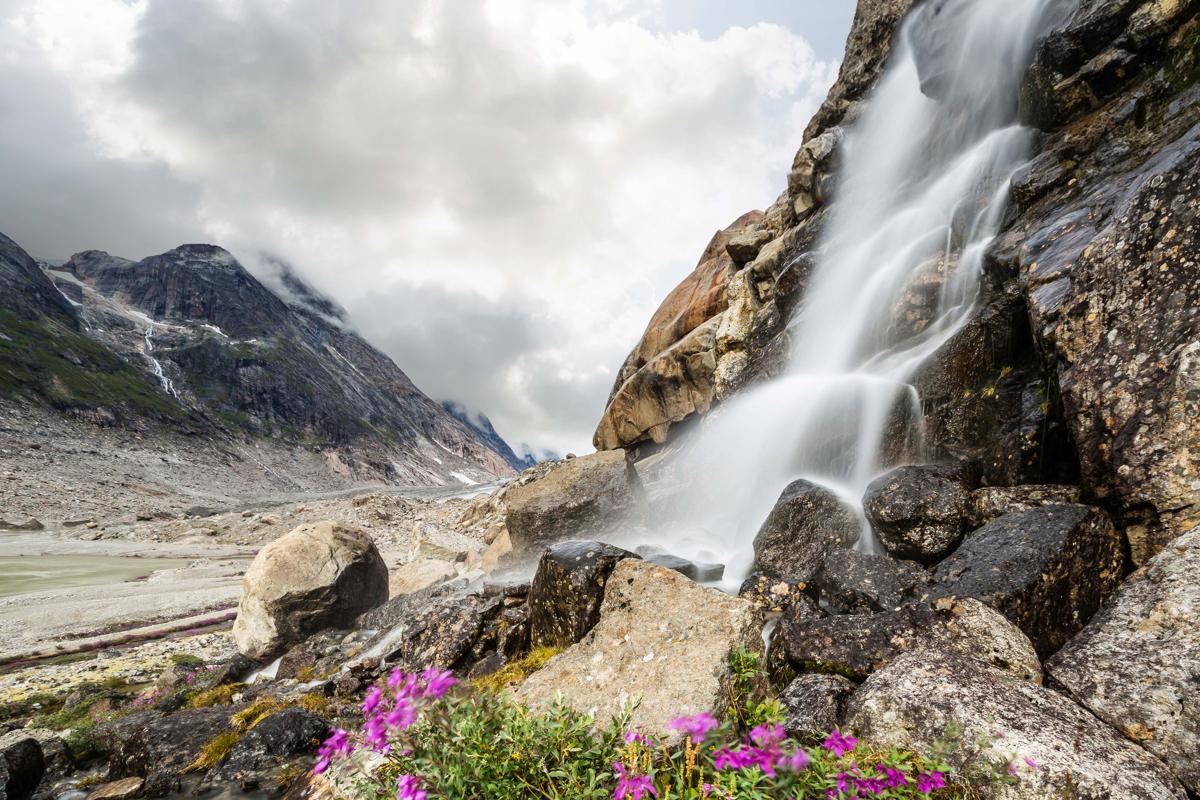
(920, 197)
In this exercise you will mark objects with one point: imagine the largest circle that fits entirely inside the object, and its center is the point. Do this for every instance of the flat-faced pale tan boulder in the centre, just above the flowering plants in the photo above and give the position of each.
(662, 640)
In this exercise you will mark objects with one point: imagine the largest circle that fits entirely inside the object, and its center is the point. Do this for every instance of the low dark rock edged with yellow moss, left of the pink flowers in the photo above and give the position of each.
(259, 755)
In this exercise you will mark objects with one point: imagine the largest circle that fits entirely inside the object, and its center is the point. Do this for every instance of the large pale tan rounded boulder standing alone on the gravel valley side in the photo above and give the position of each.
(319, 576)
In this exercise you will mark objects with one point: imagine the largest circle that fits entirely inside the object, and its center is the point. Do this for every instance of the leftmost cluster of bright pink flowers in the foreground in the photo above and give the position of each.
(387, 713)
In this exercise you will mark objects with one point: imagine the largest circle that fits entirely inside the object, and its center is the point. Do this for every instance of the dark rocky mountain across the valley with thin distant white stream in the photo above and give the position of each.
(190, 342)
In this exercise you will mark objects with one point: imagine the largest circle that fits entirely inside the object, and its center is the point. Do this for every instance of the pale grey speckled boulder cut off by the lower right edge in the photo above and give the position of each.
(1137, 665)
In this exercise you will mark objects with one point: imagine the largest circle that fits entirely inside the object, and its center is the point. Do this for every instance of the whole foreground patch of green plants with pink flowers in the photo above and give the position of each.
(422, 739)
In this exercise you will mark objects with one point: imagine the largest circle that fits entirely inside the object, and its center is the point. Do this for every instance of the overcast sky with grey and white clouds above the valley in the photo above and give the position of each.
(500, 193)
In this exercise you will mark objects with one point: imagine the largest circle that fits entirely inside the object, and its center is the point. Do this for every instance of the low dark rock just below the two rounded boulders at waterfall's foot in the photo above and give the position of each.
(863, 584)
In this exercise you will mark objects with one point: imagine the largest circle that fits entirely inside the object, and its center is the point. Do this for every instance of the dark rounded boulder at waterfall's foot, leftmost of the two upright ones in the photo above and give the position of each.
(807, 525)
